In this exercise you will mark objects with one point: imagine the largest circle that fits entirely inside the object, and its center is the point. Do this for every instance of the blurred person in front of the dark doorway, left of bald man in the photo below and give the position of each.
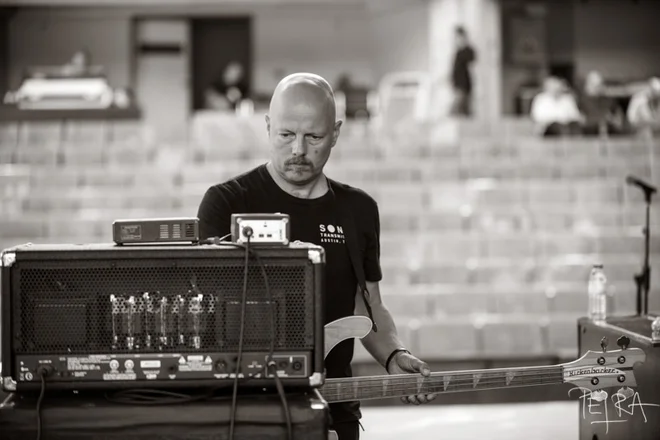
(227, 93)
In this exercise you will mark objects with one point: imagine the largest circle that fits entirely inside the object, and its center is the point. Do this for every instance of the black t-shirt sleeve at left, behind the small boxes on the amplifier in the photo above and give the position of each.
(215, 210)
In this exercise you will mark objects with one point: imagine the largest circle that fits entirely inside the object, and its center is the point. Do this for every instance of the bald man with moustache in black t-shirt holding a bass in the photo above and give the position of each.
(302, 129)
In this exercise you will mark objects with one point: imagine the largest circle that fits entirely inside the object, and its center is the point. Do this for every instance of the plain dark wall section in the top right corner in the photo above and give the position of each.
(621, 39)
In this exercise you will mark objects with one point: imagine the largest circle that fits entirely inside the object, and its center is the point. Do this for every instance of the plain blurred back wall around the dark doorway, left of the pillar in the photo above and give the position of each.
(329, 40)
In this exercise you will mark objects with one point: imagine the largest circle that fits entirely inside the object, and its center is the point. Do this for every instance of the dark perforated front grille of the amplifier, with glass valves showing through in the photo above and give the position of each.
(159, 305)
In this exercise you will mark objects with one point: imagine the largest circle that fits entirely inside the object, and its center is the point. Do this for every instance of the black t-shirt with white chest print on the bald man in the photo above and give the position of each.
(314, 221)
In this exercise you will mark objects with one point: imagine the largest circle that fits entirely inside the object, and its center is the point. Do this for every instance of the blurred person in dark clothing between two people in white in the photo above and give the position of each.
(602, 115)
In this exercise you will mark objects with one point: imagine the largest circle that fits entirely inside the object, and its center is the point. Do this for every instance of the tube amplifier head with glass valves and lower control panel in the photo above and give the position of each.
(106, 316)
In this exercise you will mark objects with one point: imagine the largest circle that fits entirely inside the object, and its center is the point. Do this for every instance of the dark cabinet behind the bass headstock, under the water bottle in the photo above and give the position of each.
(621, 416)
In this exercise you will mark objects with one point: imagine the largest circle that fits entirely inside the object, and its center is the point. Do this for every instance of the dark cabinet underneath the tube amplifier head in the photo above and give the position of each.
(89, 417)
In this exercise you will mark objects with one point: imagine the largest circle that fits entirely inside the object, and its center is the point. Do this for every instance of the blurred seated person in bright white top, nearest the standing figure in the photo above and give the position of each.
(555, 111)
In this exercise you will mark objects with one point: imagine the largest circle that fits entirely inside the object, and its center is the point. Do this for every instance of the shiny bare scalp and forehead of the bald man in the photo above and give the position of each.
(303, 92)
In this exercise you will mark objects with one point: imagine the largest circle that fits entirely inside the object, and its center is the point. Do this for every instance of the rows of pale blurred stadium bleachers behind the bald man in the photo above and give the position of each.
(488, 240)
